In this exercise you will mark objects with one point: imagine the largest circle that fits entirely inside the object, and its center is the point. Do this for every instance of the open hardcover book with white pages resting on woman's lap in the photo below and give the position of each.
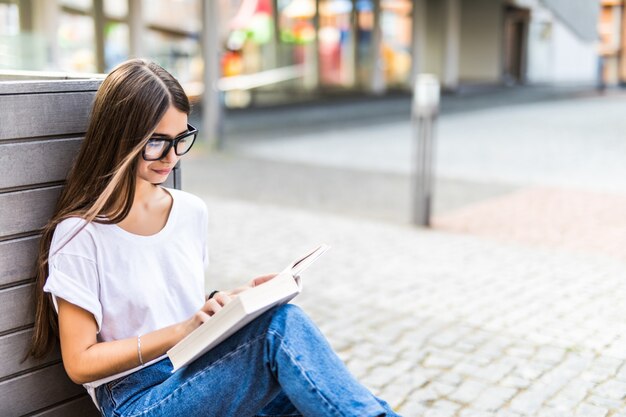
(247, 306)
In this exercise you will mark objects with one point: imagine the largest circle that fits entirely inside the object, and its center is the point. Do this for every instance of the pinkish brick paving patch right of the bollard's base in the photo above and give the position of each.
(578, 220)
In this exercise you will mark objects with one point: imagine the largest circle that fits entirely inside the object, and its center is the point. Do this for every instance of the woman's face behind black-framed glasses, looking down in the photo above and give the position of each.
(173, 123)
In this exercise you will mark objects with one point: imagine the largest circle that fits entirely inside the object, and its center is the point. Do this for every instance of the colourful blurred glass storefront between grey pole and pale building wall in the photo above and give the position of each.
(320, 47)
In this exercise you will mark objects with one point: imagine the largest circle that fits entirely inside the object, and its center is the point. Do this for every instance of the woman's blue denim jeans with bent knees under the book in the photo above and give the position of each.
(278, 365)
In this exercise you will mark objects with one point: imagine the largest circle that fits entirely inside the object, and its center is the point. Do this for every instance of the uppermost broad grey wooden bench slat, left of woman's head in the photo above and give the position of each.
(34, 115)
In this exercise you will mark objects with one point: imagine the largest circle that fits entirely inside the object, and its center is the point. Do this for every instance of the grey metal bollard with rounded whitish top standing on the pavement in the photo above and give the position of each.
(426, 93)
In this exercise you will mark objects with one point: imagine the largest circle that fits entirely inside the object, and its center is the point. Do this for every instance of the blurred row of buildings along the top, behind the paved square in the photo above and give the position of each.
(284, 50)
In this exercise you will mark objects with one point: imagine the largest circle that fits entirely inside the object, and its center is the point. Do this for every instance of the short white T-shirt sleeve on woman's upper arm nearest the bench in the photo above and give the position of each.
(75, 279)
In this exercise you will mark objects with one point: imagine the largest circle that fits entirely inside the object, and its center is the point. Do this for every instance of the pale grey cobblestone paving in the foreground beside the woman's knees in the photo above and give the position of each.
(440, 323)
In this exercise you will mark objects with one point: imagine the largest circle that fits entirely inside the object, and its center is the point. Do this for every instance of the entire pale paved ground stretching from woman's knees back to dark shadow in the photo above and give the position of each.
(512, 305)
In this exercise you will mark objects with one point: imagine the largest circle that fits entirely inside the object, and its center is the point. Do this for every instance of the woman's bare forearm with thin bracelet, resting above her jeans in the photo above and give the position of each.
(104, 359)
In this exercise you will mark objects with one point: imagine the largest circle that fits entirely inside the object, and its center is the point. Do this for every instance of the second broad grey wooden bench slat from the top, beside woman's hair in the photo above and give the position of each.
(36, 162)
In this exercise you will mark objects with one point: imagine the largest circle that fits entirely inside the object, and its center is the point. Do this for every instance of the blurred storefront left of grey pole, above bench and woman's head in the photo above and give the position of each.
(94, 35)
